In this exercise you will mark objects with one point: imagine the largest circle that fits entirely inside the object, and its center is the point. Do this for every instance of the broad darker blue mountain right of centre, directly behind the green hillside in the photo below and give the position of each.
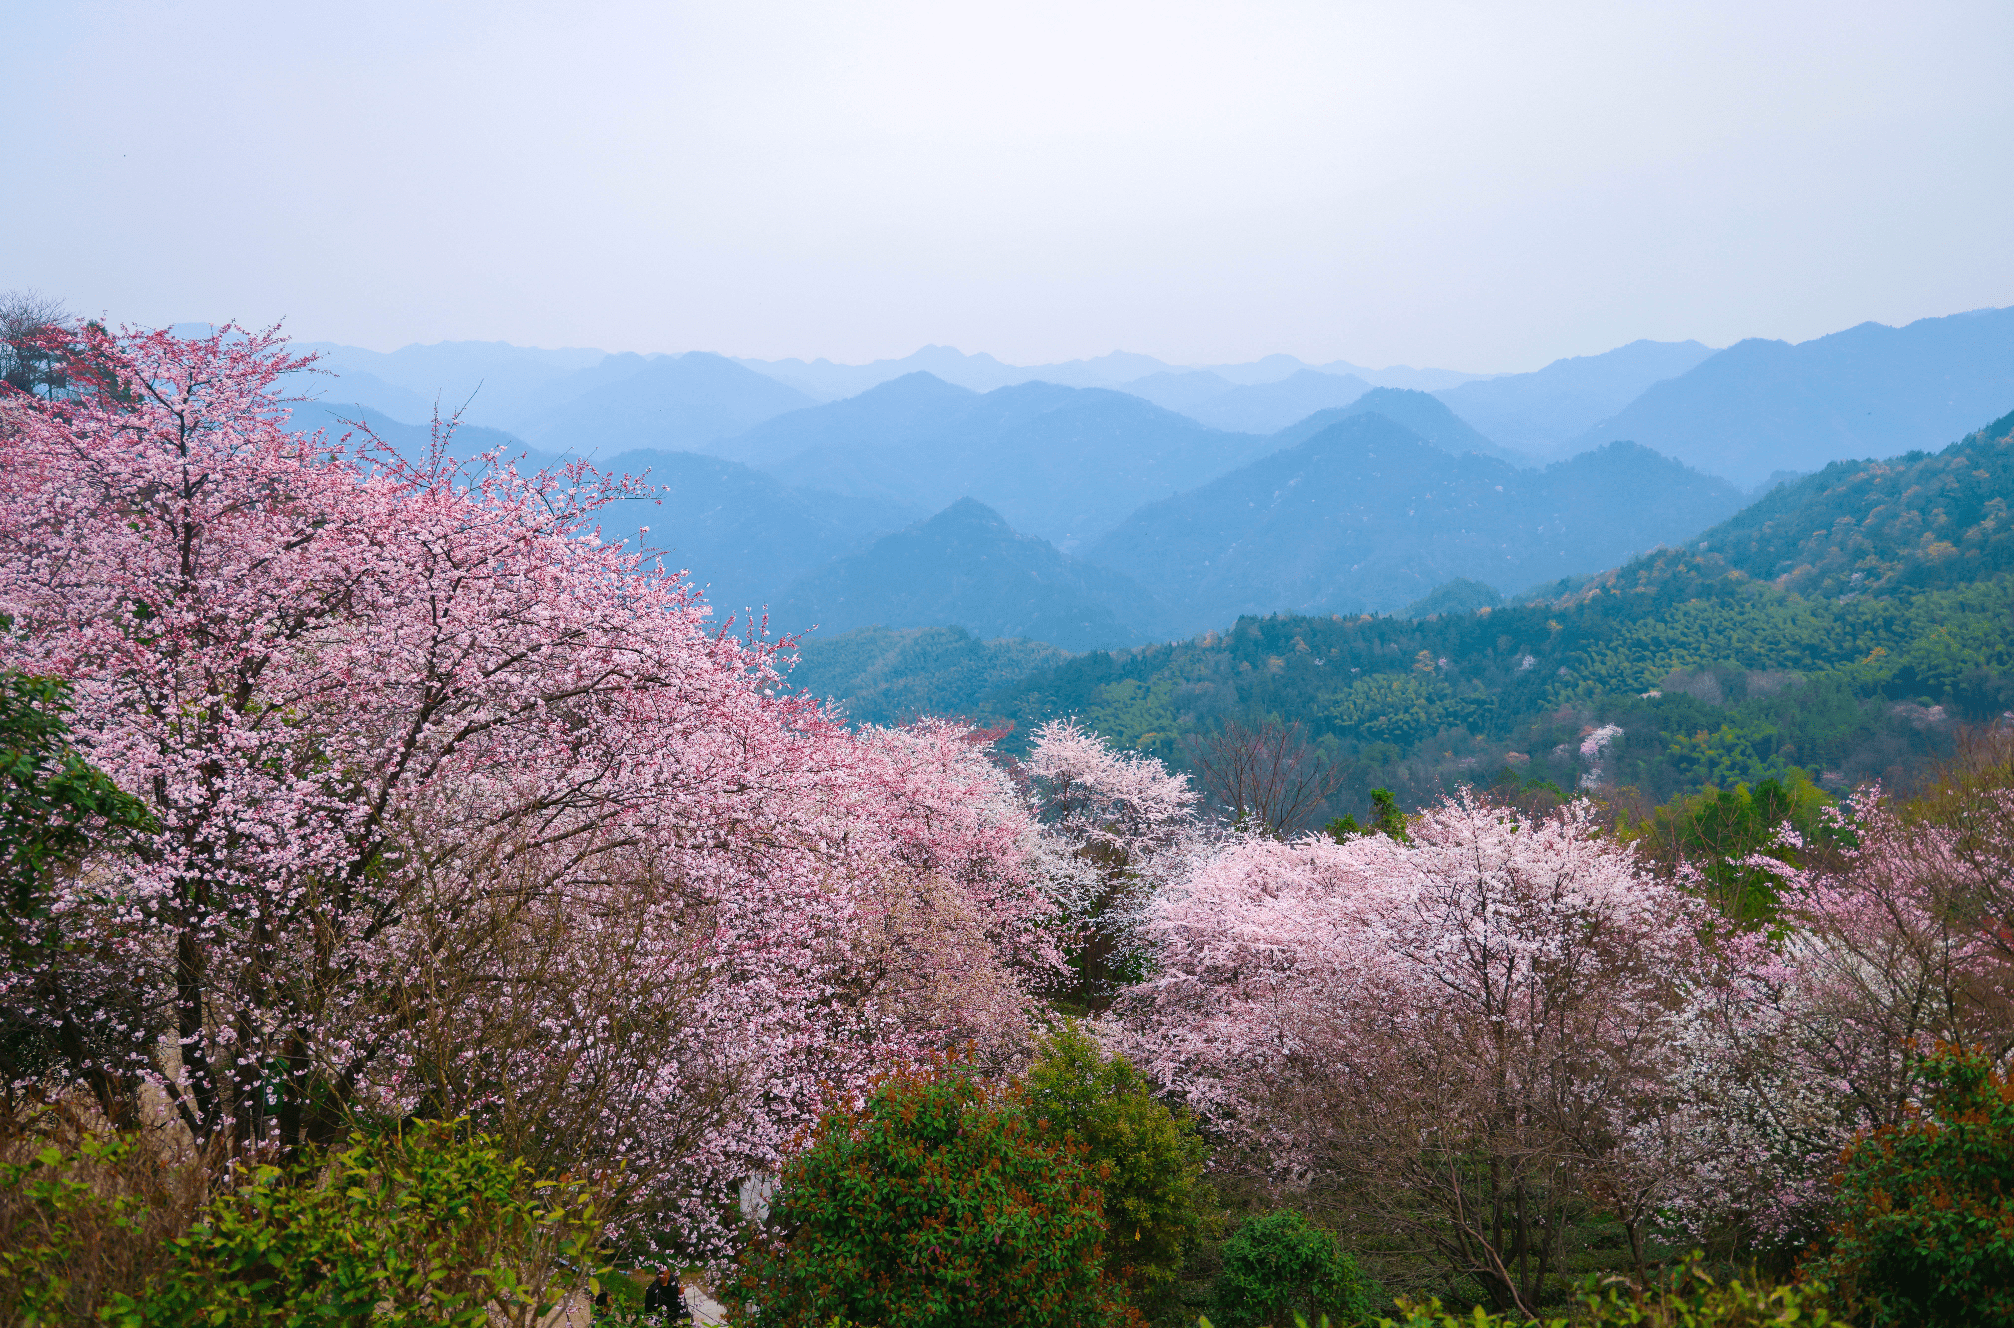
(1369, 517)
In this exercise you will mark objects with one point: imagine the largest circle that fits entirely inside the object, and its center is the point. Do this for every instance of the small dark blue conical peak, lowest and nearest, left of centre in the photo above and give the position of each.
(966, 567)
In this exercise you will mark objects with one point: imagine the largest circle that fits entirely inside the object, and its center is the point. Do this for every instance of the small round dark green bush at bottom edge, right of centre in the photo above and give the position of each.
(1282, 1267)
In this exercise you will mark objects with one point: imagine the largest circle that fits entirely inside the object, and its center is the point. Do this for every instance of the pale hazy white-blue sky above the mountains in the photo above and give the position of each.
(1469, 186)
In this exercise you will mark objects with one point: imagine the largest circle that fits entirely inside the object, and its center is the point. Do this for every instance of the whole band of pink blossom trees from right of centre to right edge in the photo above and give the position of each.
(1528, 990)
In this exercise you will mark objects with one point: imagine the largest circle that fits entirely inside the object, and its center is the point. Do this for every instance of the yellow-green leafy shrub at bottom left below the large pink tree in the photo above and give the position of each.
(408, 1228)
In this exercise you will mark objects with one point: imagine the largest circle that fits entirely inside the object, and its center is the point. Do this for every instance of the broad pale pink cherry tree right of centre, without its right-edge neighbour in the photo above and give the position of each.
(1465, 1031)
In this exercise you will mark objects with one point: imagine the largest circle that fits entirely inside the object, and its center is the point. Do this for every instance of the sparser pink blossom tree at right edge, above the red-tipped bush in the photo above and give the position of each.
(1820, 1023)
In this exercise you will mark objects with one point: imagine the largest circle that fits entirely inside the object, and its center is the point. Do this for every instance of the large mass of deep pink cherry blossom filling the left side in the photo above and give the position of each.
(462, 811)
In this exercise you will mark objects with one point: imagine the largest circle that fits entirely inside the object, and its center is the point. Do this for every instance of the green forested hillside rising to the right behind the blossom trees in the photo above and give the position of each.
(1749, 654)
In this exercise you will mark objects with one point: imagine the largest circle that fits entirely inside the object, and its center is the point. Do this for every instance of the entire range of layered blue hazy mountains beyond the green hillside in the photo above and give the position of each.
(1117, 501)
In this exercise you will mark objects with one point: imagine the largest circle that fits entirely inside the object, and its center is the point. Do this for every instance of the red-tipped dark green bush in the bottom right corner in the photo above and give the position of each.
(1924, 1228)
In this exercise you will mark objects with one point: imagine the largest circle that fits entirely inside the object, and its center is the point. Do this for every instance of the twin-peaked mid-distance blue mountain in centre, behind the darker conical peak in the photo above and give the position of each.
(1060, 462)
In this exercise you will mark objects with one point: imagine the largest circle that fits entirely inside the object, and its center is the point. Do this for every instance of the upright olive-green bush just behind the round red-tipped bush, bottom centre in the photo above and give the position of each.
(1147, 1160)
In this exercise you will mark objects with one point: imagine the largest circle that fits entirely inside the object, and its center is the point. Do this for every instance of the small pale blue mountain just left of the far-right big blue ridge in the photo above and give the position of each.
(1540, 412)
